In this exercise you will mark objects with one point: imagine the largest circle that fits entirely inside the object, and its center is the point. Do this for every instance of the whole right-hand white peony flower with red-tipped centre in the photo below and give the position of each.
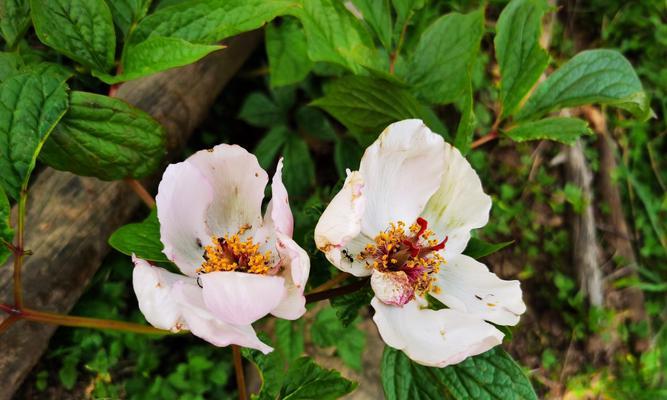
(404, 219)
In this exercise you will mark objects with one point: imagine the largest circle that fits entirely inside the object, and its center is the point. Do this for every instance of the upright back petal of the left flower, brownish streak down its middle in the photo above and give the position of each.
(238, 183)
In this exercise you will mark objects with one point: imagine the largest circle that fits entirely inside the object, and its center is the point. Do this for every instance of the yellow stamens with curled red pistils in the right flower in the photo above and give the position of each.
(414, 252)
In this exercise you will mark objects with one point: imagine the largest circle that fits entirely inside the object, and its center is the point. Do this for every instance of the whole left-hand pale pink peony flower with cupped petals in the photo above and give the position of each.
(236, 265)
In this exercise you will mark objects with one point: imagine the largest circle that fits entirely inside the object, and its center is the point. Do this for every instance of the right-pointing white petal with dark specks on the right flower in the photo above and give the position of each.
(468, 286)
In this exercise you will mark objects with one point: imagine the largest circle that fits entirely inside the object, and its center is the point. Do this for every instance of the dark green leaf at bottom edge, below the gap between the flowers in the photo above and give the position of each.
(306, 380)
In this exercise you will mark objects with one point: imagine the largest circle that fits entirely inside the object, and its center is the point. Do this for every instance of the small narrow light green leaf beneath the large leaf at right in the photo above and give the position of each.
(560, 129)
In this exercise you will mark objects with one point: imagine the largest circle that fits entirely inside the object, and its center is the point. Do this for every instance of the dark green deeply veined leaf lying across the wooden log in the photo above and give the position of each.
(106, 138)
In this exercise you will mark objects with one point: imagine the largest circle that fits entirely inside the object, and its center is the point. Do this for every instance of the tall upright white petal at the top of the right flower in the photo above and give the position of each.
(401, 171)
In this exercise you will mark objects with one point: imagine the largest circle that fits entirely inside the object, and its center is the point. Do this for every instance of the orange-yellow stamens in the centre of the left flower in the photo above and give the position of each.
(231, 253)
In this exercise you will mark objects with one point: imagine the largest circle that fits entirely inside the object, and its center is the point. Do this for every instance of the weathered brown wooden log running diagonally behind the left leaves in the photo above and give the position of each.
(69, 218)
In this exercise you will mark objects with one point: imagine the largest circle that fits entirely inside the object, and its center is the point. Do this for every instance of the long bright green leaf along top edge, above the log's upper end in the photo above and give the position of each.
(210, 21)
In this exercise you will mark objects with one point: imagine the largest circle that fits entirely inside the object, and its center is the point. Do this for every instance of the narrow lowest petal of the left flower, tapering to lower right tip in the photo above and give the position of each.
(204, 324)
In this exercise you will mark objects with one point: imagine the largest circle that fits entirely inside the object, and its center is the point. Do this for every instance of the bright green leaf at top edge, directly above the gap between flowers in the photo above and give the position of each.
(334, 35)
